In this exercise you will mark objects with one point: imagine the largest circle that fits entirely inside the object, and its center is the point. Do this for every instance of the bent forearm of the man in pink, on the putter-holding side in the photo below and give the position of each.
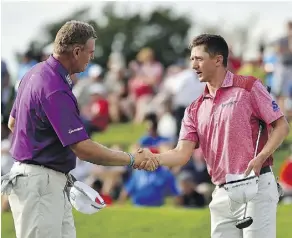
(279, 133)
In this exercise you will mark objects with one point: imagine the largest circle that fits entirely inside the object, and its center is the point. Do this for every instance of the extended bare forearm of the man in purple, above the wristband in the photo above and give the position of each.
(98, 154)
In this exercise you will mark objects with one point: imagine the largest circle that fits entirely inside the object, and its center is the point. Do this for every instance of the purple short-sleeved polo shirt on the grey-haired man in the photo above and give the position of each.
(47, 118)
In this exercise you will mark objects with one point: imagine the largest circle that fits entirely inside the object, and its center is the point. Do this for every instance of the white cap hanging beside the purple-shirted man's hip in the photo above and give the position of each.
(85, 199)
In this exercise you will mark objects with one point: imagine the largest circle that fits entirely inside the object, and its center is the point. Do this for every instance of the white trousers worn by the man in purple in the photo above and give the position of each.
(39, 205)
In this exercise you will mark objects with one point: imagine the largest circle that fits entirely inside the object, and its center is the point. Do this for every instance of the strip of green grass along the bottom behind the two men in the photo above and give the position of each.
(165, 222)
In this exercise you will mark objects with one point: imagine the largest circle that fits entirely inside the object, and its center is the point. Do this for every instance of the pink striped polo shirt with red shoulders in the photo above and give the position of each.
(226, 126)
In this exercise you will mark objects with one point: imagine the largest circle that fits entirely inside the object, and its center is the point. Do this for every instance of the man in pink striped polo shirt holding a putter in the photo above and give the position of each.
(224, 122)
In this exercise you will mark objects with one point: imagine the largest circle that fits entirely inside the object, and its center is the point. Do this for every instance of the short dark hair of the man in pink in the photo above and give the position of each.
(214, 45)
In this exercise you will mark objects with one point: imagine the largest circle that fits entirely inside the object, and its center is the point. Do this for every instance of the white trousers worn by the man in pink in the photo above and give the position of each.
(262, 209)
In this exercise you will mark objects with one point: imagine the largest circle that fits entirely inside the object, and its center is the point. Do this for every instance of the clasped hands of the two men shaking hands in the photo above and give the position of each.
(145, 159)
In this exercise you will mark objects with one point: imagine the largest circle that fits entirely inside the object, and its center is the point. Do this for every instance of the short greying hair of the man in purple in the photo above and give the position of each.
(72, 33)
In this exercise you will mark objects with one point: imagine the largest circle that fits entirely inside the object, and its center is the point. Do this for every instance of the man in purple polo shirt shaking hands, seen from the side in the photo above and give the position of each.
(48, 134)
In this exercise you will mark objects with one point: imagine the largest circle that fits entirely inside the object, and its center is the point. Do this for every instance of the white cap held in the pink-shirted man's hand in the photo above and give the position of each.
(243, 190)
